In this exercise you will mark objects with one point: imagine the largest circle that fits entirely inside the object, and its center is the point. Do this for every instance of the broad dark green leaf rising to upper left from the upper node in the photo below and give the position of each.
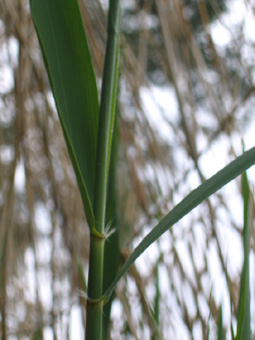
(63, 42)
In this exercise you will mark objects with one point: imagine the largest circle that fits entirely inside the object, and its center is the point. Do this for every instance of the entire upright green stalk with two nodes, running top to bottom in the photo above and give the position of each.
(105, 131)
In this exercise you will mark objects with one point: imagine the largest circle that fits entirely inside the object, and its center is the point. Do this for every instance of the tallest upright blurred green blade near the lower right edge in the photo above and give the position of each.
(244, 309)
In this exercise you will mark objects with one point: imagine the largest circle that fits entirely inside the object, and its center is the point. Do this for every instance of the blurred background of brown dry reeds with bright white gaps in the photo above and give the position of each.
(186, 98)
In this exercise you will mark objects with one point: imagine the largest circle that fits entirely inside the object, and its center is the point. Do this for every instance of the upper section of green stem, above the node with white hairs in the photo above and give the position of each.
(106, 118)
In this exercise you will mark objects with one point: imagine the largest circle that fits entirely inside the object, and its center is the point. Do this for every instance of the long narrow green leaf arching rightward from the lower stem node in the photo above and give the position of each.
(197, 196)
